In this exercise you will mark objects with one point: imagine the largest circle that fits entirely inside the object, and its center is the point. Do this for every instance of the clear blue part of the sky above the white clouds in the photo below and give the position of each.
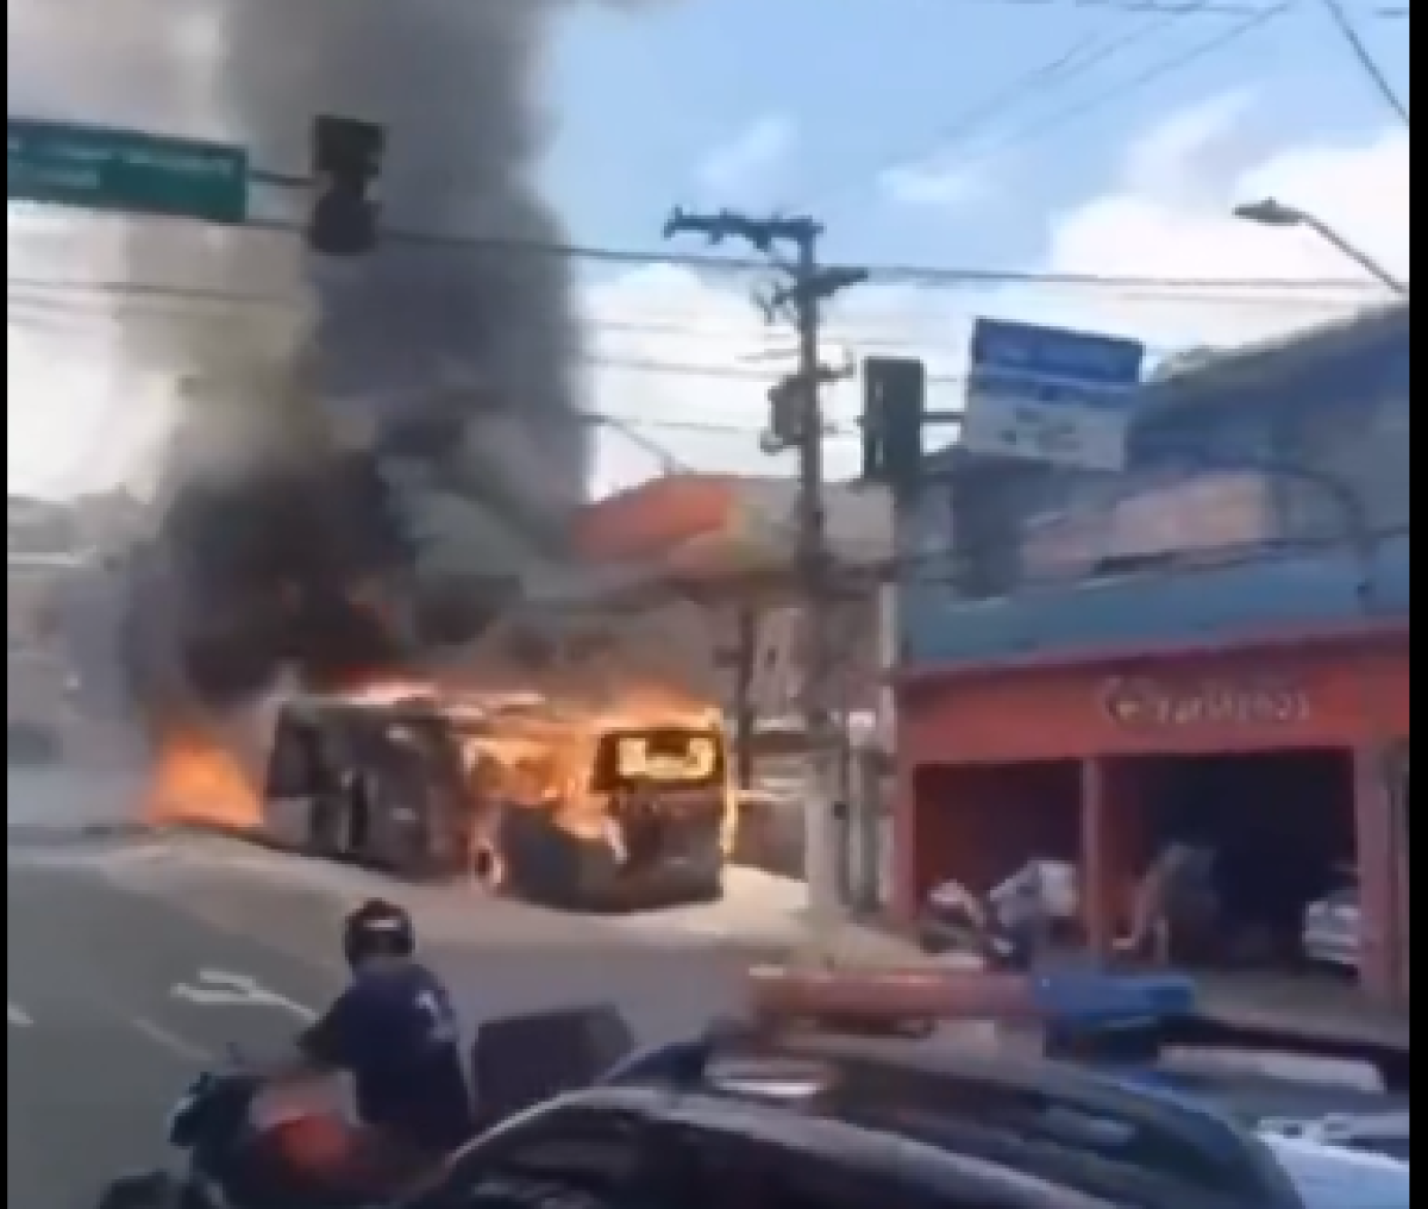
(643, 99)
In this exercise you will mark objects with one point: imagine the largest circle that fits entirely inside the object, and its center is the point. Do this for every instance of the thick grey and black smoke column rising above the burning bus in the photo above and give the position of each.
(451, 372)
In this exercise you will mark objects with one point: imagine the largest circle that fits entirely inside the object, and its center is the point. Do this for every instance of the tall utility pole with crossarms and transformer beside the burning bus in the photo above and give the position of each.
(798, 425)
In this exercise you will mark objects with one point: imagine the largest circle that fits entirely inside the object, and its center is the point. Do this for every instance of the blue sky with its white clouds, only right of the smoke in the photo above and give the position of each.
(852, 98)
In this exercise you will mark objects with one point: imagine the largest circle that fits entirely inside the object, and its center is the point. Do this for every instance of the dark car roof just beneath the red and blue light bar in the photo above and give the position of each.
(1070, 1127)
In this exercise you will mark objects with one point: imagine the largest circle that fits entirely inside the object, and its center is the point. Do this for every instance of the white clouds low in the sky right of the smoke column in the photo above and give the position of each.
(1166, 216)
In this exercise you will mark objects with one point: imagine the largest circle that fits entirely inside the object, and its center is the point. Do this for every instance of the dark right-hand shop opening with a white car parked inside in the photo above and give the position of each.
(1249, 861)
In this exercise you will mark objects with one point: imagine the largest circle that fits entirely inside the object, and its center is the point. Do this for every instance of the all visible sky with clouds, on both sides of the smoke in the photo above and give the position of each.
(1083, 138)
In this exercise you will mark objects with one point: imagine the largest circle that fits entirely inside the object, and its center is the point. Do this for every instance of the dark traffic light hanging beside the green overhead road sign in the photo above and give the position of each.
(346, 165)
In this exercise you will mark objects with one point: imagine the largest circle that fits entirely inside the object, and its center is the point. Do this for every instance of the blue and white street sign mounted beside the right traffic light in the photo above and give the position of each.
(1049, 395)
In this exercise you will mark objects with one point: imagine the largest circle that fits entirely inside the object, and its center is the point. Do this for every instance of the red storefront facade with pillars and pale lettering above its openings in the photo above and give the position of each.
(990, 737)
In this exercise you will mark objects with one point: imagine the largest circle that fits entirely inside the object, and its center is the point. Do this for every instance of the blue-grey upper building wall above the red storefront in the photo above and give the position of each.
(1232, 519)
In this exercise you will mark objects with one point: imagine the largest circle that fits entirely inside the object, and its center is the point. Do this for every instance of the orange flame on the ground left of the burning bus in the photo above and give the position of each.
(196, 779)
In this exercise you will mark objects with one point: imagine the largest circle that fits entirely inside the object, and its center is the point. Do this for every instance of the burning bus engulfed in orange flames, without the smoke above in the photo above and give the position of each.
(583, 809)
